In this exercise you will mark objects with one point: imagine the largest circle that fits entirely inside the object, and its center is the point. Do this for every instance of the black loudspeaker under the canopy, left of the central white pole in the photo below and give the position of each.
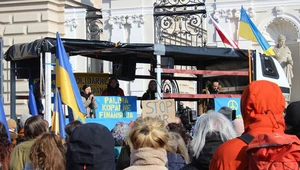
(124, 67)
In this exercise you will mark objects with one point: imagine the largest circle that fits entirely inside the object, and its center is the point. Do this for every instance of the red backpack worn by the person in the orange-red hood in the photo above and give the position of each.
(272, 151)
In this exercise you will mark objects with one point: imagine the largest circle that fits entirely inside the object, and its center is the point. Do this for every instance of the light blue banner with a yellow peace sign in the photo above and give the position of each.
(233, 103)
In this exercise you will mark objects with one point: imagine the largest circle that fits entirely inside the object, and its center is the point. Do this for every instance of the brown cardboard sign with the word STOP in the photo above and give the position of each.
(164, 109)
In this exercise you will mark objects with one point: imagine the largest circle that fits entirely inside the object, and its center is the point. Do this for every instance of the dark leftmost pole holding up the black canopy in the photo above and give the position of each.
(13, 114)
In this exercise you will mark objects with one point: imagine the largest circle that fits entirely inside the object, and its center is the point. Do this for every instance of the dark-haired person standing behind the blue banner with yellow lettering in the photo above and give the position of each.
(113, 88)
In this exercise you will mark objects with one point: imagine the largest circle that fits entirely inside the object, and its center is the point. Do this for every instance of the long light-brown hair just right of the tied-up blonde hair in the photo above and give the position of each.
(177, 145)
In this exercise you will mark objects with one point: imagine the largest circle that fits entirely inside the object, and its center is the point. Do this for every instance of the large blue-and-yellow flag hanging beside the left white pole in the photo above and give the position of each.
(65, 80)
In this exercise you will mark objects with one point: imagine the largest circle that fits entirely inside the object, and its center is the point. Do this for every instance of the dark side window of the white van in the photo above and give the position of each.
(268, 67)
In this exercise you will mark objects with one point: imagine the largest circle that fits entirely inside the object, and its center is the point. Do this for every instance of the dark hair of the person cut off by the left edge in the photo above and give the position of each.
(4, 143)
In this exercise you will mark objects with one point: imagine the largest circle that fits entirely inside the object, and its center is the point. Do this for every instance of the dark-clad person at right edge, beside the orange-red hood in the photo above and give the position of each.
(292, 119)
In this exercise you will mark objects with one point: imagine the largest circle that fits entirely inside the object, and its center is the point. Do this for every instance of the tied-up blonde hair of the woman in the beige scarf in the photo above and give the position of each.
(148, 132)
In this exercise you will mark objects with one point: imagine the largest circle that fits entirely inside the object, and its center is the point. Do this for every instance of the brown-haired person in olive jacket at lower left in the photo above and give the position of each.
(34, 127)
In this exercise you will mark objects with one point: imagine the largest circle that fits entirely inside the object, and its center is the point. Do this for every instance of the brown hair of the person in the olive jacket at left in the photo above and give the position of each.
(34, 127)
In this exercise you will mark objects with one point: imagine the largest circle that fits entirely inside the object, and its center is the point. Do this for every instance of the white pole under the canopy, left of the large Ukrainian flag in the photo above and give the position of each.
(48, 87)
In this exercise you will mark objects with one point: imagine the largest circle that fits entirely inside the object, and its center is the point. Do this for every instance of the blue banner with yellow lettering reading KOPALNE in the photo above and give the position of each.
(116, 107)
